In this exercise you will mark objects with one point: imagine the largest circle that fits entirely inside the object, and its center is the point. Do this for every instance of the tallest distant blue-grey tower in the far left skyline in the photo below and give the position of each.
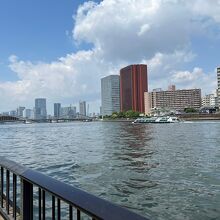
(40, 109)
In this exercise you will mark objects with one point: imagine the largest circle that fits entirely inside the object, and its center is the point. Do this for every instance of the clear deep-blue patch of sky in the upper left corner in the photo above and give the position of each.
(35, 30)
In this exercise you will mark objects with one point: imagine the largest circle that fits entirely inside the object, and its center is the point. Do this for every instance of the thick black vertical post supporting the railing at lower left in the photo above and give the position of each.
(26, 200)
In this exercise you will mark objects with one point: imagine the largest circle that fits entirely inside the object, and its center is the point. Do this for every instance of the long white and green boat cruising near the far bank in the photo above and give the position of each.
(163, 119)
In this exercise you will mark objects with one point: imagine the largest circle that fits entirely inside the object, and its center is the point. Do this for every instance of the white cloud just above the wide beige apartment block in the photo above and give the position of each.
(164, 69)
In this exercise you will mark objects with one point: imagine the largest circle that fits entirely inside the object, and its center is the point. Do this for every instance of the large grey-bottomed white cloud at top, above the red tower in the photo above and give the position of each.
(133, 30)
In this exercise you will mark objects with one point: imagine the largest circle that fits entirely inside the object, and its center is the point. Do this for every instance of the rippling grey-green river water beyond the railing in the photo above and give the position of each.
(162, 171)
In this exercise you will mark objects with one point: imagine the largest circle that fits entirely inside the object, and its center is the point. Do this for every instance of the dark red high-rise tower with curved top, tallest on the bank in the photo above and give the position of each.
(133, 84)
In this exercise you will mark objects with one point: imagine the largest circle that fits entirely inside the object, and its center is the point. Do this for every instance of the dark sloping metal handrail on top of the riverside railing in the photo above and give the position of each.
(88, 203)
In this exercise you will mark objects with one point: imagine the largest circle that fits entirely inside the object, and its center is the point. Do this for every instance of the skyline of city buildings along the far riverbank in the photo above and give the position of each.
(122, 93)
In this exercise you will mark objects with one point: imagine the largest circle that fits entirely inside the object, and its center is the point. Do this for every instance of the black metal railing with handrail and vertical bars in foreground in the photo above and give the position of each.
(26, 194)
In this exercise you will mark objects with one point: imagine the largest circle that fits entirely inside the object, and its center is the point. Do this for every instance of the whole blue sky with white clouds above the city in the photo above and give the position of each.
(60, 49)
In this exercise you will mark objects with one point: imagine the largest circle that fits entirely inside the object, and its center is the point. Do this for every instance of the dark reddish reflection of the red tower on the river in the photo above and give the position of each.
(135, 149)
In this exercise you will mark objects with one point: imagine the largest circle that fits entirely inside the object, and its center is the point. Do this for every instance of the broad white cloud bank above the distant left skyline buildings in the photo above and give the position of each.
(69, 79)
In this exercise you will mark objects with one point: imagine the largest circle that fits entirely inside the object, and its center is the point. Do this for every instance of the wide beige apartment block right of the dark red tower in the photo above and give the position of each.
(173, 100)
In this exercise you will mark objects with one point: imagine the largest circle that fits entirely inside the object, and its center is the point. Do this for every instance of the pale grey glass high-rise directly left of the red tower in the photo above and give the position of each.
(110, 94)
